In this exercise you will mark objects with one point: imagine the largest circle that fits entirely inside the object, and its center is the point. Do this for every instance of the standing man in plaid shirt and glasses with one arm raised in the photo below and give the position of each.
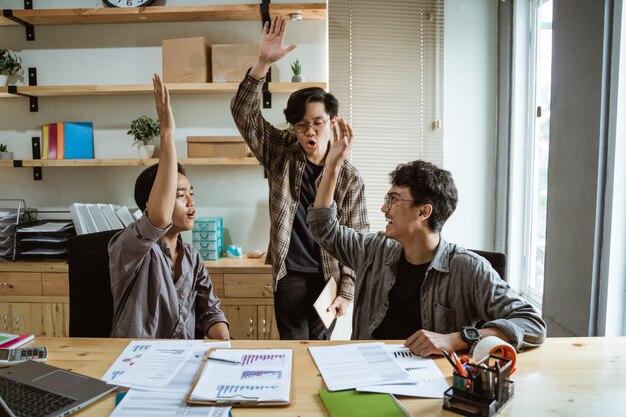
(294, 162)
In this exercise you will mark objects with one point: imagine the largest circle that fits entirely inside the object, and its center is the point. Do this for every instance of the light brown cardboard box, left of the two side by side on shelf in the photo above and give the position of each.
(186, 60)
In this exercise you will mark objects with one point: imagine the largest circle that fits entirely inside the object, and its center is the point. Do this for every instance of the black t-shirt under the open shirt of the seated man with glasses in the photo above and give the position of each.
(404, 314)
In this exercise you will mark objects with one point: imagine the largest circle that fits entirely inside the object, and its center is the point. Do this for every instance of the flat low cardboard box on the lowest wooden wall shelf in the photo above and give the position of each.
(216, 147)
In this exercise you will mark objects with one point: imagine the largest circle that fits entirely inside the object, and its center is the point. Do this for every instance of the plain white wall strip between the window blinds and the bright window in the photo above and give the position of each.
(470, 74)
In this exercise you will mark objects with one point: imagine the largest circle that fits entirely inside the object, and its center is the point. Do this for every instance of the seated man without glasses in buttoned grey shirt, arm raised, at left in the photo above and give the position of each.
(161, 288)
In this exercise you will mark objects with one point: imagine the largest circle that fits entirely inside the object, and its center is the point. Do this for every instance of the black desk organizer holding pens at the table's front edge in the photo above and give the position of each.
(483, 393)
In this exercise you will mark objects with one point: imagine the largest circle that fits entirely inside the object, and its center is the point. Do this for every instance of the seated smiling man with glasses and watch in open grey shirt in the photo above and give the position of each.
(410, 283)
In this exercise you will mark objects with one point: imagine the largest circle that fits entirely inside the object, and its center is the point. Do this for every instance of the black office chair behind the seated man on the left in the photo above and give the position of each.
(91, 302)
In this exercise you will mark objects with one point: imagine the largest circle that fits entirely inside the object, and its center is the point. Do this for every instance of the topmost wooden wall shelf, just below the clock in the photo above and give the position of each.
(156, 14)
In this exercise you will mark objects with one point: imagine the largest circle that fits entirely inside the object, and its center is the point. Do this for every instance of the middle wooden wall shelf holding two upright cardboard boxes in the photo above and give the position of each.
(138, 89)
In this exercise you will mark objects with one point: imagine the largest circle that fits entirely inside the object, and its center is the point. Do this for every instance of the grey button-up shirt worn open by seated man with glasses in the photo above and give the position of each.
(459, 289)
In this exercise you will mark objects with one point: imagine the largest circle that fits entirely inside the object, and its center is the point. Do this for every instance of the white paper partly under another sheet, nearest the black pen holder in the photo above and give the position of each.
(430, 381)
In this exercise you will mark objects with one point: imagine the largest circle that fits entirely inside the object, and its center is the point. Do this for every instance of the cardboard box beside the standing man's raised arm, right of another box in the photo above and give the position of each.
(230, 62)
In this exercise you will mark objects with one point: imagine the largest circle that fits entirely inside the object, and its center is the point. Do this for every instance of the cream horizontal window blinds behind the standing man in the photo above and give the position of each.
(386, 70)
